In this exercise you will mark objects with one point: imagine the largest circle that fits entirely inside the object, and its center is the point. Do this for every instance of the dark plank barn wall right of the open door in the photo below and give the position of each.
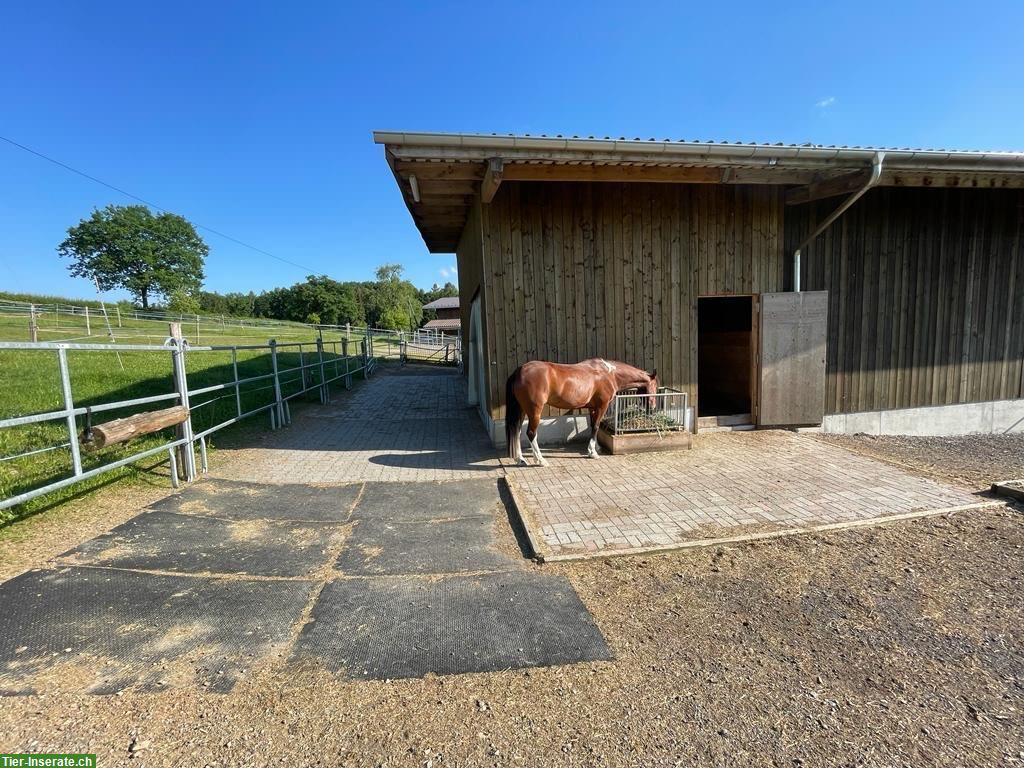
(926, 296)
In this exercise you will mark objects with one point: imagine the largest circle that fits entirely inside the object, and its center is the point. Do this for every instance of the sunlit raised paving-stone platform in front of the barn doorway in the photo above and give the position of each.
(731, 485)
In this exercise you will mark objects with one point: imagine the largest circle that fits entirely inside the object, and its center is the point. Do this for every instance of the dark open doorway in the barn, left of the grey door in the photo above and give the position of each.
(726, 338)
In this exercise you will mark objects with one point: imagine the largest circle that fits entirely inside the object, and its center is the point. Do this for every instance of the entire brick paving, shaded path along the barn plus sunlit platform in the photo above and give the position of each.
(413, 424)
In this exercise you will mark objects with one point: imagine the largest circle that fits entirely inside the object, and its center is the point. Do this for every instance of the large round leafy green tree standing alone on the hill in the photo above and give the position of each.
(130, 247)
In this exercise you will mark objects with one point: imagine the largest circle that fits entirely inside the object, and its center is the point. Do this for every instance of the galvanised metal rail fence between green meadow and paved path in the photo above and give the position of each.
(320, 365)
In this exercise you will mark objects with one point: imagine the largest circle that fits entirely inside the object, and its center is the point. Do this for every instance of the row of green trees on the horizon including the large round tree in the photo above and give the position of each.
(160, 260)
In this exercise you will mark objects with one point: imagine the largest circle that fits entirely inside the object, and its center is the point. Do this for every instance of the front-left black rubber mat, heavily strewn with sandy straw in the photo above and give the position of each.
(101, 631)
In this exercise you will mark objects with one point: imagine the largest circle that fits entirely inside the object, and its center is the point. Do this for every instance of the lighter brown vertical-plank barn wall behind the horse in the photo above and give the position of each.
(577, 271)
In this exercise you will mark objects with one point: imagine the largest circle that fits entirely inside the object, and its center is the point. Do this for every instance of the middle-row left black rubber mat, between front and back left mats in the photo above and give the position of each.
(192, 544)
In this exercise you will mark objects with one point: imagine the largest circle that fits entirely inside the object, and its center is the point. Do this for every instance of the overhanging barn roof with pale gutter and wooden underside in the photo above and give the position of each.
(440, 175)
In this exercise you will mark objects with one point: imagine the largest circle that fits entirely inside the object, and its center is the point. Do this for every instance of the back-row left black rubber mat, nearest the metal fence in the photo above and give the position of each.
(252, 501)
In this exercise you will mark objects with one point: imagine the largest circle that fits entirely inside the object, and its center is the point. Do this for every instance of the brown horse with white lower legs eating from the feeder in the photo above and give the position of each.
(590, 385)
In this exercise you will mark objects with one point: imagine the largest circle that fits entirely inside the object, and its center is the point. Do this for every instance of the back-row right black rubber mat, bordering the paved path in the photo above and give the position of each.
(428, 501)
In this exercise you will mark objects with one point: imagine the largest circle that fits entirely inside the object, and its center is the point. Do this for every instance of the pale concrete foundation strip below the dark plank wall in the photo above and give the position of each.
(994, 417)
